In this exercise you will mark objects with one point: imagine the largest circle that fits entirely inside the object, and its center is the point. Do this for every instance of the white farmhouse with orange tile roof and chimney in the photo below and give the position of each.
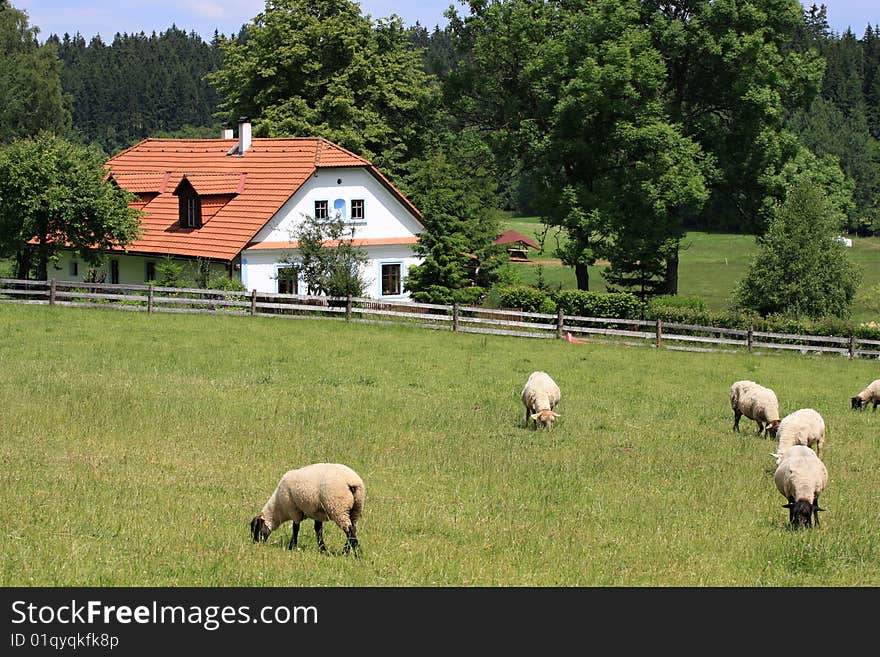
(232, 206)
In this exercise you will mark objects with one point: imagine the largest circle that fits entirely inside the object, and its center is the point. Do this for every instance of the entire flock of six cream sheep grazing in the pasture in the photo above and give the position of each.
(334, 492)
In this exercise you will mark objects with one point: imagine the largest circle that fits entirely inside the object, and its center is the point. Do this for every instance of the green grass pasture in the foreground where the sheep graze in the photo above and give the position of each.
(137, 448)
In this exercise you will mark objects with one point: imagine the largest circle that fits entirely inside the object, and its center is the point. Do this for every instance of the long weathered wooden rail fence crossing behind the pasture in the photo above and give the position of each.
(465, 319)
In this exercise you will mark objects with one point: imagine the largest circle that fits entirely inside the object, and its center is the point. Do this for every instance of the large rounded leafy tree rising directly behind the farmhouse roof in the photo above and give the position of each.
(318, 68)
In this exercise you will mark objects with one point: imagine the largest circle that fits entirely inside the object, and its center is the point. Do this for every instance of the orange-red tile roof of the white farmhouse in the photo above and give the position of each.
(262, 180)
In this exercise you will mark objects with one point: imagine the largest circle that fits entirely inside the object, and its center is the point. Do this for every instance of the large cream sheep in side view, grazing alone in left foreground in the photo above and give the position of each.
(320, 491)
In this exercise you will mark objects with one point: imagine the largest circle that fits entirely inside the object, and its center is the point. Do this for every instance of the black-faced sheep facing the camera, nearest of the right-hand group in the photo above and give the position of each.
(800, 477)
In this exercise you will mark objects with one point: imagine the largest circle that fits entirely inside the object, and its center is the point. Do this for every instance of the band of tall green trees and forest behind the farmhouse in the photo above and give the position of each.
(622, 124)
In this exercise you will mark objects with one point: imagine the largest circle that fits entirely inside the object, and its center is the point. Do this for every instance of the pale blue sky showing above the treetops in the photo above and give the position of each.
(107, 17)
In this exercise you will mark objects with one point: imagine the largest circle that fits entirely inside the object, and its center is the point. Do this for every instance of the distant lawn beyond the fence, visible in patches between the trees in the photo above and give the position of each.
(710, 264)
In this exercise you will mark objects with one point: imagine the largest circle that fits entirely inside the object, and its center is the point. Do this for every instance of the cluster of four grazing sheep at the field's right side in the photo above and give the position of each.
(800, 472)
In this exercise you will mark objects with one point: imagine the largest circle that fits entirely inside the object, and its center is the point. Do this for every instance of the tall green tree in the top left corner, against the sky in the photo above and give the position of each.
(30, 80)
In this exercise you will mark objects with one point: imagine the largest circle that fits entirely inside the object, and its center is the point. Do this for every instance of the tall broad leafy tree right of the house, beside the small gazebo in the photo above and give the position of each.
(574, 93)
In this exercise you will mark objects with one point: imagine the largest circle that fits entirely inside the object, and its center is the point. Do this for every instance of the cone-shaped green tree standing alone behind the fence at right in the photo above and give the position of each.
(800, 269)
